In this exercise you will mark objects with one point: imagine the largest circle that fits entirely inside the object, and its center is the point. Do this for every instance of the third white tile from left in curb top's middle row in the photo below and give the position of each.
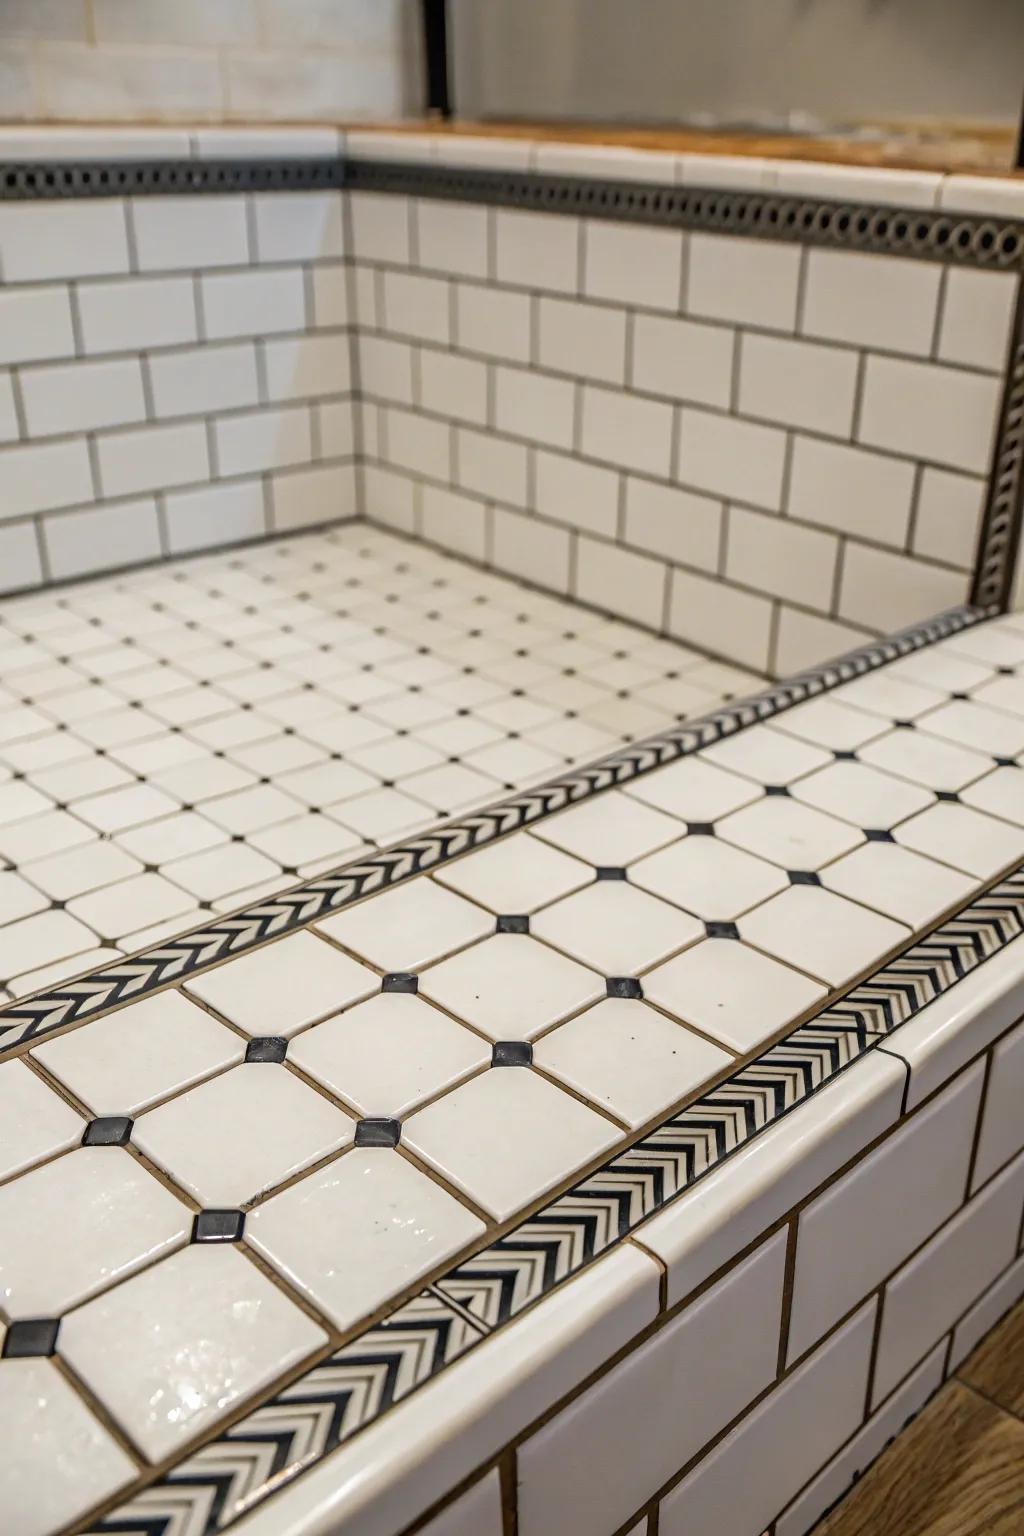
(391, 1053)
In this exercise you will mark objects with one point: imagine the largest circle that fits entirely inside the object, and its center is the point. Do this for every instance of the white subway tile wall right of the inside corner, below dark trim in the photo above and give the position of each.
(799, 439)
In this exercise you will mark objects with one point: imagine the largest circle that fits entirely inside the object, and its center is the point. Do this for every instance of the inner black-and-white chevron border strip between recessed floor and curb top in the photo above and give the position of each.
(137, 976)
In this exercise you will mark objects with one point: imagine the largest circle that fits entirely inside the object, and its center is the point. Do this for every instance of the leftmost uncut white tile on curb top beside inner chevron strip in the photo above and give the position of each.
(139, 1054)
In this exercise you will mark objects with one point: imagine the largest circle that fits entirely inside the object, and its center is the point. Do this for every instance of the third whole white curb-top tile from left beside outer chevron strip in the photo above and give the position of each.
(467, 1134)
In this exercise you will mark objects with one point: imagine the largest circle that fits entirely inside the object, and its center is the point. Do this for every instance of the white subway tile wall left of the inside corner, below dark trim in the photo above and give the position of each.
(176, 377)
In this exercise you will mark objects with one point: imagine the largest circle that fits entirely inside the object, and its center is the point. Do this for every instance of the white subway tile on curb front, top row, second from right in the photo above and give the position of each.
(865, 1226)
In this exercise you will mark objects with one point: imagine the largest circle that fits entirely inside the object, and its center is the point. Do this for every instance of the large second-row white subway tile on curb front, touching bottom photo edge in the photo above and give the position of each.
(773, 1452)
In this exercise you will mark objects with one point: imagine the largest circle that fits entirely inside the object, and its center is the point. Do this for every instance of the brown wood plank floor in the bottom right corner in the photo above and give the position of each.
(959, 1471)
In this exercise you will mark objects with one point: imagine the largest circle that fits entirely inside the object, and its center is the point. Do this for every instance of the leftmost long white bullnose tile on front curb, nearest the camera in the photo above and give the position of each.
(415, 1454)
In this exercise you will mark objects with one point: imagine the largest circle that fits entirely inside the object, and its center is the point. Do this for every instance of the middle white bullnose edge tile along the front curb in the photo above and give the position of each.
(712, 1223)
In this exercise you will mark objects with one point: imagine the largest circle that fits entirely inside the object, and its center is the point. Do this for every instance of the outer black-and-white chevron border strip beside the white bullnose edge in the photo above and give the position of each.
(342, 1395)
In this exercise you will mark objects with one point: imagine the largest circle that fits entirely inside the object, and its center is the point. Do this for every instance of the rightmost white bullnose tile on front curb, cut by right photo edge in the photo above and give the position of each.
(962, 1024)
